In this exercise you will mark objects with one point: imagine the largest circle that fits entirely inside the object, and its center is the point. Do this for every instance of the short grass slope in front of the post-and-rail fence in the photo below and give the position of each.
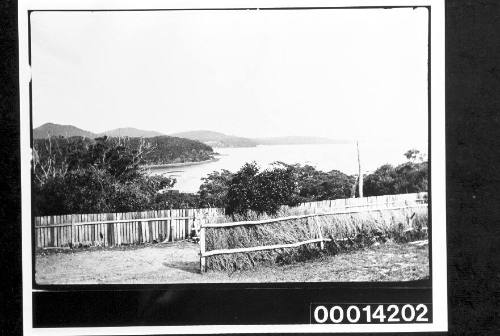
(385, 262)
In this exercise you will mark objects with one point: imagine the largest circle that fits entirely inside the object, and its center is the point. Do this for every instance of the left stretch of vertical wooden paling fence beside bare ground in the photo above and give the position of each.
(114, 229)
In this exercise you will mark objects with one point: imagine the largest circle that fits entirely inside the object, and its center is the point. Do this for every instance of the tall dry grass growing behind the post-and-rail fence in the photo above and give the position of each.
(347, 231)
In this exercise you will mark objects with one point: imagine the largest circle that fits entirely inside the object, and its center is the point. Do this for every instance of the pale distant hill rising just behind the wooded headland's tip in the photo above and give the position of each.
(216, 139)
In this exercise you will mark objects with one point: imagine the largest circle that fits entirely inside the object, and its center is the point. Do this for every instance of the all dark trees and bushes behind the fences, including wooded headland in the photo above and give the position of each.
(81, 175)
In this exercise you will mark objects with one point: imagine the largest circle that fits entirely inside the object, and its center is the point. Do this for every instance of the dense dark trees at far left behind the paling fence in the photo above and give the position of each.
(79, 175)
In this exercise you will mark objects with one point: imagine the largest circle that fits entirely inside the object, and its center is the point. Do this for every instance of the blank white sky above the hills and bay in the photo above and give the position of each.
(338, 73)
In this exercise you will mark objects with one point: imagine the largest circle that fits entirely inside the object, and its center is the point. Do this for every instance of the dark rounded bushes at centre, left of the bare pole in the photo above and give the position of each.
(251, 189)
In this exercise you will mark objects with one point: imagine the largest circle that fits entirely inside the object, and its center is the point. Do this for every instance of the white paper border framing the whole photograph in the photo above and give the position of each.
(437, 164)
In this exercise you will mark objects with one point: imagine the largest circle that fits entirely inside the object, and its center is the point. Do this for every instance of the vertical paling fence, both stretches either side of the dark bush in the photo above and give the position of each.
(67, 230)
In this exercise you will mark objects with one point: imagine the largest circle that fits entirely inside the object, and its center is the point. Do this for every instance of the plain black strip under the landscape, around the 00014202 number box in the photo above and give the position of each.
(205, 305)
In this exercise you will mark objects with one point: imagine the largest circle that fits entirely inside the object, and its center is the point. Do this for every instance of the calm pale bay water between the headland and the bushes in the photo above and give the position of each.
(323, 157)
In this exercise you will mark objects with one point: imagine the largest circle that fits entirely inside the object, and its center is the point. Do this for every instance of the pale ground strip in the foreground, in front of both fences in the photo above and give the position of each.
(179, 263)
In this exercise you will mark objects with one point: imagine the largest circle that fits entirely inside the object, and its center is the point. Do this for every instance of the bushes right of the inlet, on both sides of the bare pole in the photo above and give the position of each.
(262, 191)
